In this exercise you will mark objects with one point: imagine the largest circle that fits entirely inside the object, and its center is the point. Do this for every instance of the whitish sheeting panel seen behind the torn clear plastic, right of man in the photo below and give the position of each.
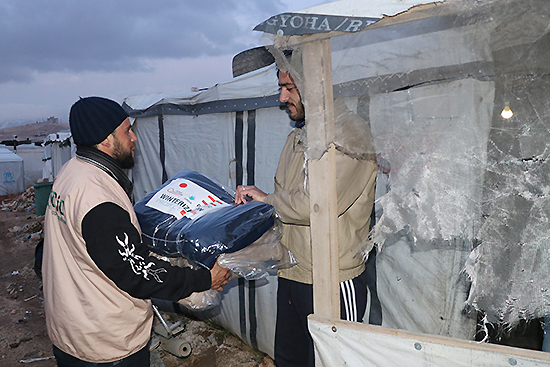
(419, 277)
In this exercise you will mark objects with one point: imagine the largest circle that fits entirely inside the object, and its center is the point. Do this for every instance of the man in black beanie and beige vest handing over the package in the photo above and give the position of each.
(98, 277)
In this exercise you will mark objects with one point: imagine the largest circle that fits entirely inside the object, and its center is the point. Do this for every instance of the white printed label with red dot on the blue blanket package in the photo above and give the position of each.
(184, 198)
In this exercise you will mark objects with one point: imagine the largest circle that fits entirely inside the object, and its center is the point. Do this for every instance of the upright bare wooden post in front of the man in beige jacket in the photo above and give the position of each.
(318, 101)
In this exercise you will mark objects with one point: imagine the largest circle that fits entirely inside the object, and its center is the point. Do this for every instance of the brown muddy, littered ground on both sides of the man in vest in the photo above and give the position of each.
(24, 340)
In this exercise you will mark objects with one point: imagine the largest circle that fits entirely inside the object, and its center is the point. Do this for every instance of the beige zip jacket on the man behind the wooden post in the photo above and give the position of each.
(355, 181)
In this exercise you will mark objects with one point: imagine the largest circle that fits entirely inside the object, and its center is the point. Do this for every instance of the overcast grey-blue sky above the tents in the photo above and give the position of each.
(52, 52)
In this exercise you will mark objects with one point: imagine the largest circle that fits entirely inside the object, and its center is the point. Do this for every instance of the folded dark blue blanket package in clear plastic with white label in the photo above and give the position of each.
(191, 216)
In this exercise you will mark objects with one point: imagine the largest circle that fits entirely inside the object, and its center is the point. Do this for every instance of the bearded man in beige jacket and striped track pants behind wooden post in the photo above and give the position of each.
(356, 177)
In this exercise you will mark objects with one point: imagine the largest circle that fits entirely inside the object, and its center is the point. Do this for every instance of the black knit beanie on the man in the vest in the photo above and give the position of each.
(92, 119)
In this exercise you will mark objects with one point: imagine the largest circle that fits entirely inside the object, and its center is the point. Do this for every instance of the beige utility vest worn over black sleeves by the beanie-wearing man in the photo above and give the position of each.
(87, 315)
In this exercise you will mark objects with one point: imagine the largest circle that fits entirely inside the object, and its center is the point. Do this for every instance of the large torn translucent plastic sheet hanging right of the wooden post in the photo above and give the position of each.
(431, 85)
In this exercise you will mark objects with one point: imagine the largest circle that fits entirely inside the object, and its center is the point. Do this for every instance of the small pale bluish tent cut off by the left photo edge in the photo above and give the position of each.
(12, 172)
